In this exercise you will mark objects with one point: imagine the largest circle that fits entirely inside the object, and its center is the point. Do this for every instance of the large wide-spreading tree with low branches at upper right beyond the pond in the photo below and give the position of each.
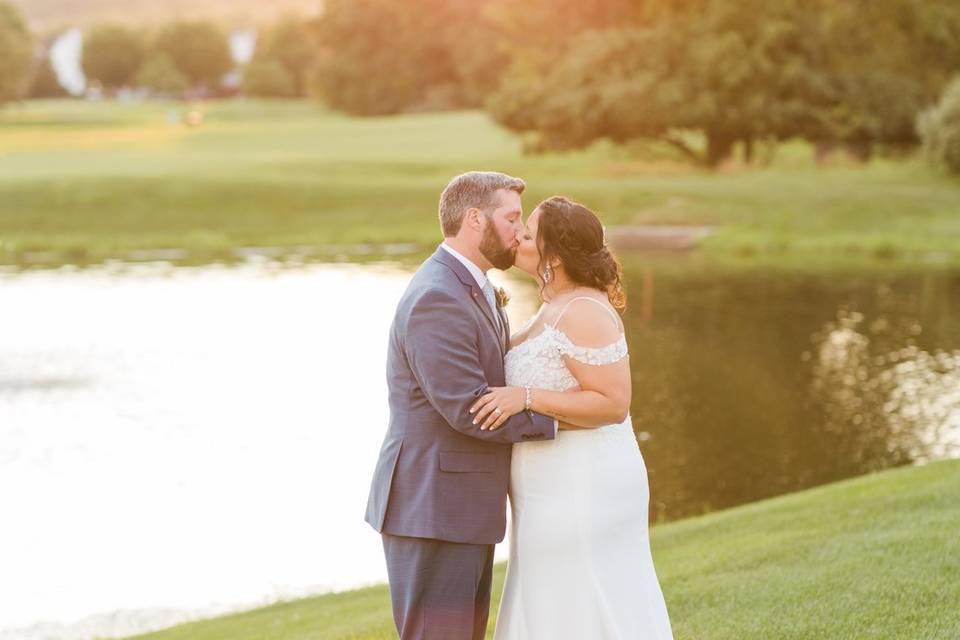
(853, 73)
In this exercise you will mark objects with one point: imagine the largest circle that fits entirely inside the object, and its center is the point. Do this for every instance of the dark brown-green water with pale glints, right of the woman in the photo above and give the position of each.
(752, 384)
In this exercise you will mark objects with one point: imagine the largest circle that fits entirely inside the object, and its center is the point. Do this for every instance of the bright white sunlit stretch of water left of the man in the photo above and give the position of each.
(178, 442)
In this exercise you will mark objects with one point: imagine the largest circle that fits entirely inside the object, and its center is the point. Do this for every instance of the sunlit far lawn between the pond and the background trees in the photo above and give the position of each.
(94, 180)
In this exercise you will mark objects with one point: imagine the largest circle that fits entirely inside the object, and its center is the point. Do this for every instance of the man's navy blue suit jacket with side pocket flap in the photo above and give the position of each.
(438, 475)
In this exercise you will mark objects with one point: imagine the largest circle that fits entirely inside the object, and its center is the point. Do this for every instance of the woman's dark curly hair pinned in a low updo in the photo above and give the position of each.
(570, 231)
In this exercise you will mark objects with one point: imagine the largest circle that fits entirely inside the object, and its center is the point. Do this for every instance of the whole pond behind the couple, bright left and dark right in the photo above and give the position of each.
(181, 441)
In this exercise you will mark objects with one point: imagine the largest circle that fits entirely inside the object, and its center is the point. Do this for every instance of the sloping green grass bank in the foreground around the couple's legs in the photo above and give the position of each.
(873, 557)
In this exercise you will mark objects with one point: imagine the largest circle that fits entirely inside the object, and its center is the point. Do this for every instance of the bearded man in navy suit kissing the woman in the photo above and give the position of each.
(439, 491)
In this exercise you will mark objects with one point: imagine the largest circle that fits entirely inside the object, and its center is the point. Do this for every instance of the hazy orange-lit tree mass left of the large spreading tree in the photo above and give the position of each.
(384, 56)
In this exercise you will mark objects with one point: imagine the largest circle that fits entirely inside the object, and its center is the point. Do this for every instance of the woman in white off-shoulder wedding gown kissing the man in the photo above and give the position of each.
(580, 564)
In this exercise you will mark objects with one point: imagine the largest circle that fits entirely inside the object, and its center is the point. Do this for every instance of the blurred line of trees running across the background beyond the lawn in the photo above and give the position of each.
(709, 77)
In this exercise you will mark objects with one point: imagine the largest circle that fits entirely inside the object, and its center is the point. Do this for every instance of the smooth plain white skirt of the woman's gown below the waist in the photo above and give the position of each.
(580, 566)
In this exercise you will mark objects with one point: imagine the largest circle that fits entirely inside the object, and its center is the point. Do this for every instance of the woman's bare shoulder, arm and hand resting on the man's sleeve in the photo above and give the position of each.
(603, 396)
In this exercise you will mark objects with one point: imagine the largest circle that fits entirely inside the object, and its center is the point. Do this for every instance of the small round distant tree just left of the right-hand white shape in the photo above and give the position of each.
(199, 50)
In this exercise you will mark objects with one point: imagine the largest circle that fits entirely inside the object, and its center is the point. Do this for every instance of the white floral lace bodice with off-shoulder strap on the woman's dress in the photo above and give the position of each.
(538, 361)
